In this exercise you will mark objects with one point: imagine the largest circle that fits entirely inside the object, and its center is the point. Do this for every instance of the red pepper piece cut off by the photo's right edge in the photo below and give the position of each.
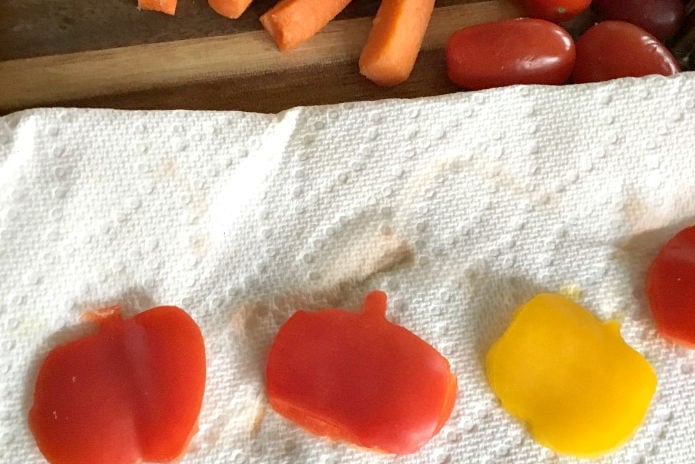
(671, 288)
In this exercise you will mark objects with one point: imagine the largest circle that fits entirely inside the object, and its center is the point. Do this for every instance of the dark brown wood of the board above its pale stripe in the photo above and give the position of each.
(30, 28)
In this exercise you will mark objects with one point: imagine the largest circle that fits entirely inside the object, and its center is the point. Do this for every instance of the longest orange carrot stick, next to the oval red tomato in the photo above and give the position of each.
(394, 41)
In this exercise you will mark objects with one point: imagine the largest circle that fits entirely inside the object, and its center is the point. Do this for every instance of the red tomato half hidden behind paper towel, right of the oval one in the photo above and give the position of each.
(614, 49)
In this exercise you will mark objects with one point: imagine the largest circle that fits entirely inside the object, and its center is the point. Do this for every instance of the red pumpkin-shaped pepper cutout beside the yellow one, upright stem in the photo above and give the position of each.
(356, 377)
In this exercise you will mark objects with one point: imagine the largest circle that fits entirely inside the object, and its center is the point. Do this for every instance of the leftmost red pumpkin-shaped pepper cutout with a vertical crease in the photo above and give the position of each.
(128, 393)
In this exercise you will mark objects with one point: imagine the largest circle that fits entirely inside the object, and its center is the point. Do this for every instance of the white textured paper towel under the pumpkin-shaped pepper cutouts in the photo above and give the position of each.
(460, 207)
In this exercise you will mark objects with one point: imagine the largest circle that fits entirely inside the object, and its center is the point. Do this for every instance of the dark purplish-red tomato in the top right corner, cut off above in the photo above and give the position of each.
(661, 18)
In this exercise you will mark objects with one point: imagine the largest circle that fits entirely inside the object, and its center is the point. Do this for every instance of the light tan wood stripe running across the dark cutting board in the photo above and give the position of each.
(49, 80)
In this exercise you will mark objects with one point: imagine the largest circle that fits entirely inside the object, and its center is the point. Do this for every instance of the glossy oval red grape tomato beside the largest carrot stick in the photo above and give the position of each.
(516, 51)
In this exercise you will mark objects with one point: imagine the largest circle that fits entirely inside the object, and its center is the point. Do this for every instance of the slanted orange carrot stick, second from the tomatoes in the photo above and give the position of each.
(292, 22)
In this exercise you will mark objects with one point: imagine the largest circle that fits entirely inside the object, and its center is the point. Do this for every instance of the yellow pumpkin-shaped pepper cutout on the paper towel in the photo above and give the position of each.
(572, 379)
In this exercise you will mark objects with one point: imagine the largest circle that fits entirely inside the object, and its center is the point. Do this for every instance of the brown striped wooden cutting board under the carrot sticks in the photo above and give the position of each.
(110, 54)
